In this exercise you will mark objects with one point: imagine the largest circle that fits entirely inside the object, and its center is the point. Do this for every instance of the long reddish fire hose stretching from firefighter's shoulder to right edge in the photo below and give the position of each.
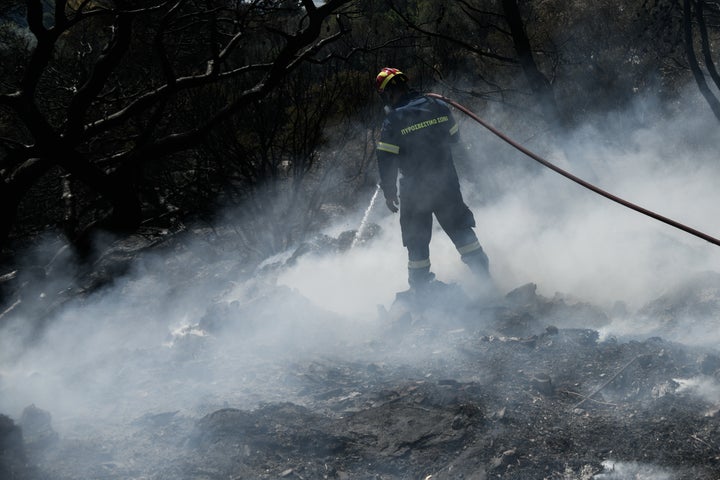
(574, 178)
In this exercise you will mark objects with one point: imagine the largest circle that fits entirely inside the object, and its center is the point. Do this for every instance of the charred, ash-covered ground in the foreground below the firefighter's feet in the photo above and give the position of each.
(515, 387)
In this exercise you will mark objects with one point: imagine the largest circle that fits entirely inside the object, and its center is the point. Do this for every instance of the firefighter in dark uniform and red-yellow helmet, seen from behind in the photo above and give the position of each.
(415, 143)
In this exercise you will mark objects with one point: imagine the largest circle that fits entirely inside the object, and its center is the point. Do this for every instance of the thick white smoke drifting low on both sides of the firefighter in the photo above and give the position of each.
(112, 357)
